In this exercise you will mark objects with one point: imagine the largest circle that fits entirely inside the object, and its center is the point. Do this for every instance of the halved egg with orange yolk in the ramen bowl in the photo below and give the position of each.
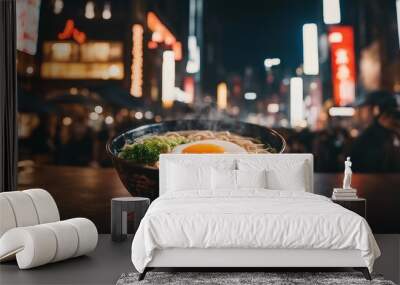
(209, 146)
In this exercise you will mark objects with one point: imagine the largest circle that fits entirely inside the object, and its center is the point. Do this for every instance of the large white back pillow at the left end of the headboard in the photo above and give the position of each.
(188, 177)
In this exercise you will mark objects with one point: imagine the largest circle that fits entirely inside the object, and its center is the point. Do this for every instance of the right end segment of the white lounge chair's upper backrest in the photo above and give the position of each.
(45, 205)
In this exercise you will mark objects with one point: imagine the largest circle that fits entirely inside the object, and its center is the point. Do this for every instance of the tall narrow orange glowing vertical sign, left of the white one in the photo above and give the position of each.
(137, 61)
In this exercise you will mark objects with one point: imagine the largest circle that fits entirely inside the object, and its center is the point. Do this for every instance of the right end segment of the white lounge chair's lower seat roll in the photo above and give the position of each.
(87, 235)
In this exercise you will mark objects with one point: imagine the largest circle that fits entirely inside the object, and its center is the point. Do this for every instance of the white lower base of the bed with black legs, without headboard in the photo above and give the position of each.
(259, 259)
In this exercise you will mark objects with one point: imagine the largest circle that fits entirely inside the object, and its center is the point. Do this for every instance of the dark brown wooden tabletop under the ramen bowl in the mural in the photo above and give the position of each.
(87, 192)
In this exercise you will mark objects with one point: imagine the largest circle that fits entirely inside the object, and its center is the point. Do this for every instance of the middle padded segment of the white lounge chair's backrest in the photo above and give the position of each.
(23, 208)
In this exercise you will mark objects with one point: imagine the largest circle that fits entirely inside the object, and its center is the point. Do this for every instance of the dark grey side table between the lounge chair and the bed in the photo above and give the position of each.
(124, 210)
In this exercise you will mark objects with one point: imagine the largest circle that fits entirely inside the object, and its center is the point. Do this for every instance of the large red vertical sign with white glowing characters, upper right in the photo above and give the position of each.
(342, 64)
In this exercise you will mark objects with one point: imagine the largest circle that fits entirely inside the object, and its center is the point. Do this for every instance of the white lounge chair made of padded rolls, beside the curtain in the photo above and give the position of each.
(31, 231)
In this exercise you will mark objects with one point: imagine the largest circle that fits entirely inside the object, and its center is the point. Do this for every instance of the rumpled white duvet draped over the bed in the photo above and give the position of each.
(250, 219)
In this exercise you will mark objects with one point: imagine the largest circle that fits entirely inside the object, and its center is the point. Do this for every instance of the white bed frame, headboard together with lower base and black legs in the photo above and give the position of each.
(248, 259)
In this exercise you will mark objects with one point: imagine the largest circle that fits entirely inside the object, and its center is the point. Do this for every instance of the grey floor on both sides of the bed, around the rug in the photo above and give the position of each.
(110, 259)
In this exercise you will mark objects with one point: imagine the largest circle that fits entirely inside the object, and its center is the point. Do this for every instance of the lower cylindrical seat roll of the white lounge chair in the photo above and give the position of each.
(37, 245)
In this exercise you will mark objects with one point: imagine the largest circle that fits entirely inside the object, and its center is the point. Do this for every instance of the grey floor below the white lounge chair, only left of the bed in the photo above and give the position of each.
(103, 266)
